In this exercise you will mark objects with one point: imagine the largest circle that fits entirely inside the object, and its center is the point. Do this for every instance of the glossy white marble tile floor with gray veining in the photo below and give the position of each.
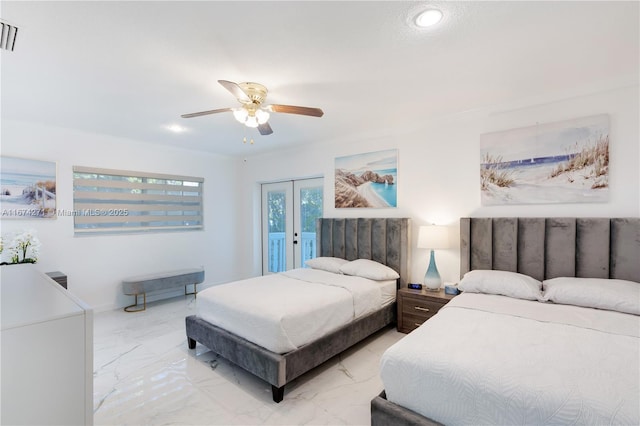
(144, 374)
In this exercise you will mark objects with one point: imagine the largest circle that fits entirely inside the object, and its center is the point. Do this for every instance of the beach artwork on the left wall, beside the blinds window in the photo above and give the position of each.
(28, 188)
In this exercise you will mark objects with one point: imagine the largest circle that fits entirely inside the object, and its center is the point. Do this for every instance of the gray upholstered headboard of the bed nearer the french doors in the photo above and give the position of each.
(385, 240)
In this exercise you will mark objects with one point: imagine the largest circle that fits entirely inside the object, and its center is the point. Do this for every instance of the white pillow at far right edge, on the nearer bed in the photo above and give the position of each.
(599, 293)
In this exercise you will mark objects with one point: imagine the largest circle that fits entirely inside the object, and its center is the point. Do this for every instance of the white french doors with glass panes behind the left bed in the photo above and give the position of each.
(289, 213)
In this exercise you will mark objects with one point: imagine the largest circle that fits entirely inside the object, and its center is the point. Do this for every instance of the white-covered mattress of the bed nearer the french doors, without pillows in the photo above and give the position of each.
(282, 312)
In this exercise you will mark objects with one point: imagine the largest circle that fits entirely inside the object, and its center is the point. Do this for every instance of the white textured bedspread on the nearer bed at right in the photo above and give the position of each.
(494, 360)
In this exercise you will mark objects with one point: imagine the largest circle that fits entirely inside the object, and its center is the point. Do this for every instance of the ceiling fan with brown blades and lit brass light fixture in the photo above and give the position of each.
(252, 112)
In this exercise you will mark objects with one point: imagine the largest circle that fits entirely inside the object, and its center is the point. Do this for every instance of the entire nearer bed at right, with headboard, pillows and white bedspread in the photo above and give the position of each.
(547, 330)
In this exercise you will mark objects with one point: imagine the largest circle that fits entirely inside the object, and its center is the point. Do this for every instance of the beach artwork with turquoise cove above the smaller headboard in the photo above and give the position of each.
(367, 180)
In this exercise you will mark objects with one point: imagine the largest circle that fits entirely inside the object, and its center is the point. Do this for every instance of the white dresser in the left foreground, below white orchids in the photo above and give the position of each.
(47, 351)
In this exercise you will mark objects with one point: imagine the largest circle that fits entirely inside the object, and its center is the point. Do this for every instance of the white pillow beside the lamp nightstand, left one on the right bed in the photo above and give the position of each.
(504, 283)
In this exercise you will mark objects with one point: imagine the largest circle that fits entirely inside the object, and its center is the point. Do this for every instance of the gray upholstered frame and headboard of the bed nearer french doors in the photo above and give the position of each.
(385, 240)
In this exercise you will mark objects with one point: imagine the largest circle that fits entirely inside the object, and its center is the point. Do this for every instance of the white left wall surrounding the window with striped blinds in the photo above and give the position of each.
(96, 265)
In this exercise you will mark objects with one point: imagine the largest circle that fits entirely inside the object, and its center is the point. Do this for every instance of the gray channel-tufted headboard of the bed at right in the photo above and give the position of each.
(546, 248)
